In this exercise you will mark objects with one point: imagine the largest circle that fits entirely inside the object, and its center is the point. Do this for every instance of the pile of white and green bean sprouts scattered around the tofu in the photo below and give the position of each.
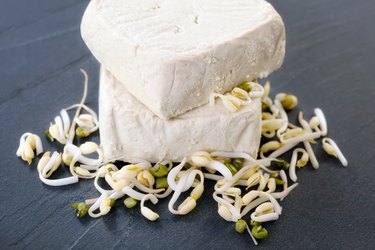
(248, 190)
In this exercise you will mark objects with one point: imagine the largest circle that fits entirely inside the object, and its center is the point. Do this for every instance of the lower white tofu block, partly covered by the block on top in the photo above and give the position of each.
(130, 131)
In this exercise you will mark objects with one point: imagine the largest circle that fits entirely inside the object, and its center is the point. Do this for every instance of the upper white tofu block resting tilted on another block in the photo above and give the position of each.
(172, 54)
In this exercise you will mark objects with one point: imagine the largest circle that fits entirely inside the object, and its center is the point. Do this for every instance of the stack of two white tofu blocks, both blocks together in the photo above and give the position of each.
(161, 60)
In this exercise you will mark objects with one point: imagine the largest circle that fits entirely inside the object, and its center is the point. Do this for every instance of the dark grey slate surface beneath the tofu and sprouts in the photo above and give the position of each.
(330, 63)
